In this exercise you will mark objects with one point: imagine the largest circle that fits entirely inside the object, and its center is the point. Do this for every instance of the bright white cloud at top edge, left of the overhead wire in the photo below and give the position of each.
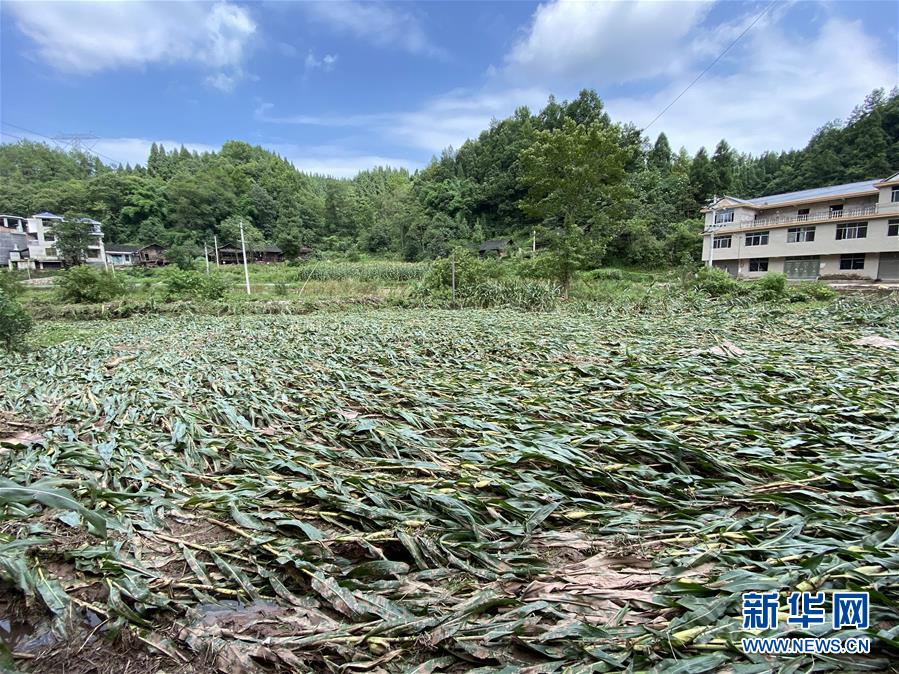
(593, 43)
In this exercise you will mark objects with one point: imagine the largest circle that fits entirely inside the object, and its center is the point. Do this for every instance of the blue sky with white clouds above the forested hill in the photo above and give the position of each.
(341, 86)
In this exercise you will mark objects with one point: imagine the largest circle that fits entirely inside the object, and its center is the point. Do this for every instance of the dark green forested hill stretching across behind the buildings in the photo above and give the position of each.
(182, 198)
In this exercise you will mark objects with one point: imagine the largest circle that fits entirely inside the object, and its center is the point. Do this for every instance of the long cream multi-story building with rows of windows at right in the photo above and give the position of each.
(843, 231)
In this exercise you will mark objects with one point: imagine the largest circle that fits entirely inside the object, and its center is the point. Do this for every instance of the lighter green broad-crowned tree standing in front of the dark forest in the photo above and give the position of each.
(575, 182)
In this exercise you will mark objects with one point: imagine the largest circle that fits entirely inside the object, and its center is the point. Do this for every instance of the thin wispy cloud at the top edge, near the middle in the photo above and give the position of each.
(378, 23)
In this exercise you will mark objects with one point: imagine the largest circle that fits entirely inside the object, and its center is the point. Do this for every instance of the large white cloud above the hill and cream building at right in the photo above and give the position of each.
(774, 96)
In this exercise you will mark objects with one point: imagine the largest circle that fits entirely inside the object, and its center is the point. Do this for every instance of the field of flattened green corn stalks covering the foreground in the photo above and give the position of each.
(443, 491)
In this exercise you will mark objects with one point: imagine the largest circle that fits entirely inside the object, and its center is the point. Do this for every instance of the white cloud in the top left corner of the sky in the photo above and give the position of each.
(88, 37)
